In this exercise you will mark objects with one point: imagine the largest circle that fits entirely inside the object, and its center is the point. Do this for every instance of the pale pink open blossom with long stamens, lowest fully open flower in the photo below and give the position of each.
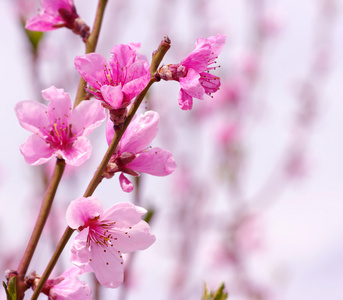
(104, 236)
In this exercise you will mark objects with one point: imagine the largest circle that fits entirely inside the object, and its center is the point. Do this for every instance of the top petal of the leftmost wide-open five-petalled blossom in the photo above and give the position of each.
(60, 106)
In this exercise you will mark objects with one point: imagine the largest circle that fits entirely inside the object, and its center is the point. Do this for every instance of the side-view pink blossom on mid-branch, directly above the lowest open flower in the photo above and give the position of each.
(133, 154)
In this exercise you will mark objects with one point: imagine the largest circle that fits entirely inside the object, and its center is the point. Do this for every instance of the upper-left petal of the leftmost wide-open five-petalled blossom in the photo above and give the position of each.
(32, 116)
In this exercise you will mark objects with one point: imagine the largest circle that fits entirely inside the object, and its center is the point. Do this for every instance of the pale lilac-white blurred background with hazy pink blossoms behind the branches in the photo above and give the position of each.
(257, 199)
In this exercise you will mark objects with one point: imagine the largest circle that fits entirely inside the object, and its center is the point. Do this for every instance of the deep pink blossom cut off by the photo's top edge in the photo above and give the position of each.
(56, 14)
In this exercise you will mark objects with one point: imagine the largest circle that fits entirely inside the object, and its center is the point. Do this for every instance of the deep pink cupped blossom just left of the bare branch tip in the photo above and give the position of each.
(117, 82)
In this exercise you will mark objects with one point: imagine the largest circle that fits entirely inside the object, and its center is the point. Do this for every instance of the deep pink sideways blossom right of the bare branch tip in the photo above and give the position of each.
(193, 71)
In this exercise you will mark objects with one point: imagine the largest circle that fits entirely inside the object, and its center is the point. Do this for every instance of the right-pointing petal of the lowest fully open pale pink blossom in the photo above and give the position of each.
(136, 238)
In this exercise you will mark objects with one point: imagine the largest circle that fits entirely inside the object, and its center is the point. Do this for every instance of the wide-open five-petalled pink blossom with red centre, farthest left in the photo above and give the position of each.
(58, 130)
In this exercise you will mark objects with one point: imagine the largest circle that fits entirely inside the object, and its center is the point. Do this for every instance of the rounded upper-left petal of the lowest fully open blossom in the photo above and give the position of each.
(81, 210)
